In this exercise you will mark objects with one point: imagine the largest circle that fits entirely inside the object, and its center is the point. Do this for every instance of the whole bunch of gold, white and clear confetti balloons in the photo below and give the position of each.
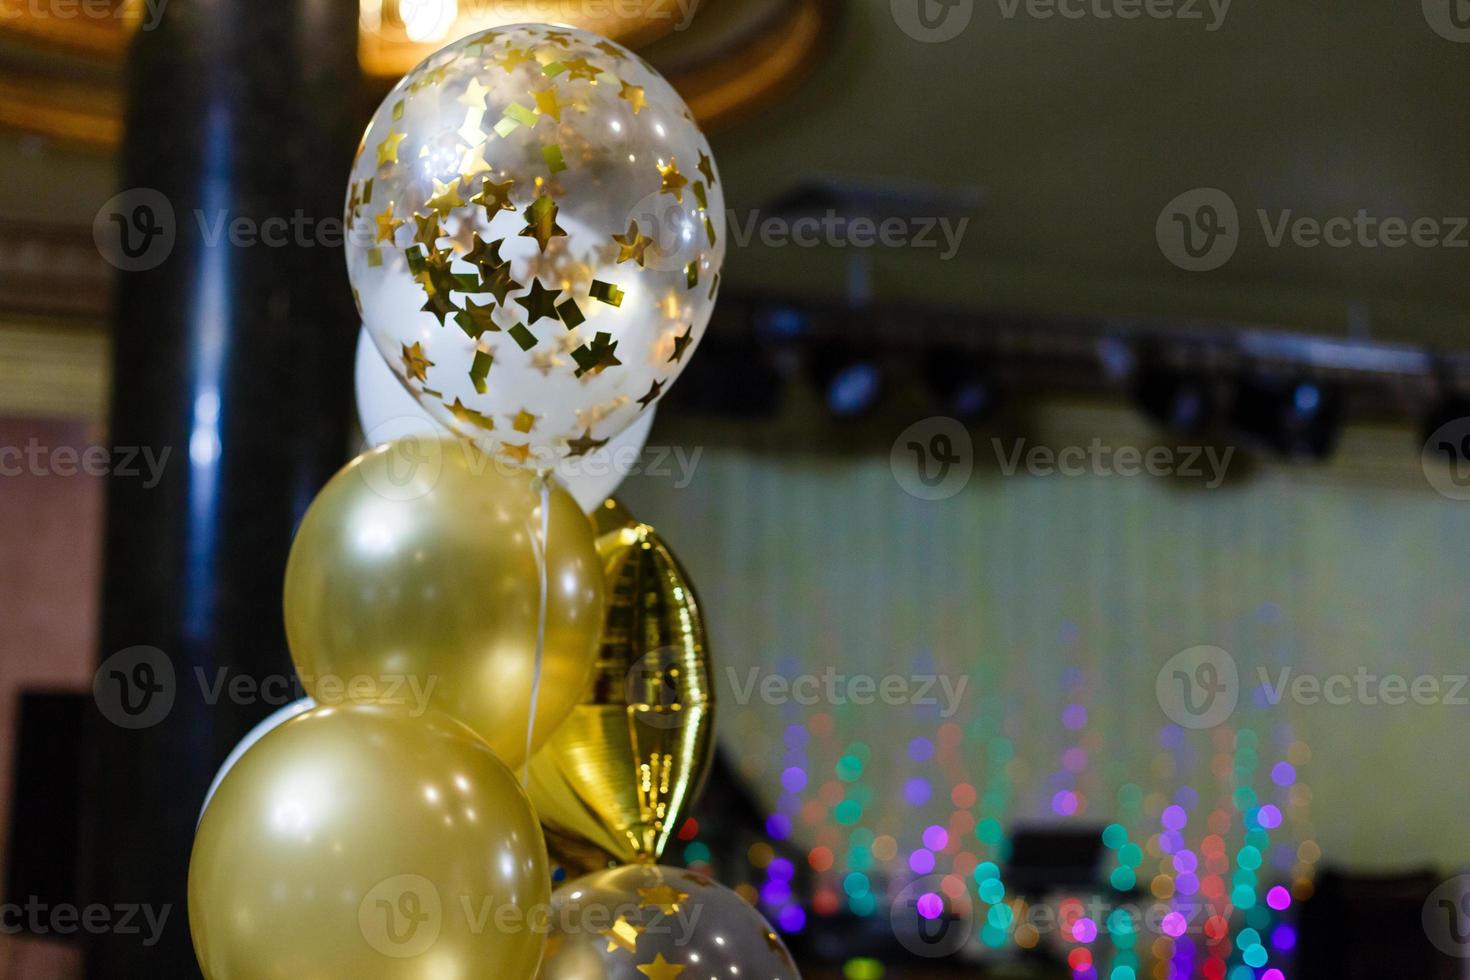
(537, 231)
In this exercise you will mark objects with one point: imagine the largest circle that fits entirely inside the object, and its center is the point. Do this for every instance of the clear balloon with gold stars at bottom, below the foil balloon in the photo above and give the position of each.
(656, 923)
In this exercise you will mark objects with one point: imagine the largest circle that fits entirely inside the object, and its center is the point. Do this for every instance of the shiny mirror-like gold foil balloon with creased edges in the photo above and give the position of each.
(623, 772)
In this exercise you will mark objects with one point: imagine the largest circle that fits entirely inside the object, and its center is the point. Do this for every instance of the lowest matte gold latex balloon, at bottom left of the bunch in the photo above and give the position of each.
(359, 843)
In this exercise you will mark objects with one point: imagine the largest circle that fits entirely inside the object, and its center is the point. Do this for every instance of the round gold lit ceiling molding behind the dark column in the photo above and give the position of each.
(725, 57)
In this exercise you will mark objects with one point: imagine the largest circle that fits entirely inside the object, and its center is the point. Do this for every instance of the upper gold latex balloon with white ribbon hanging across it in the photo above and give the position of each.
(414, 581)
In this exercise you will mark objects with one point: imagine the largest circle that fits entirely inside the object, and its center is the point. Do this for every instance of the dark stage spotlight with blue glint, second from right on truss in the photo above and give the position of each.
(1299, 418)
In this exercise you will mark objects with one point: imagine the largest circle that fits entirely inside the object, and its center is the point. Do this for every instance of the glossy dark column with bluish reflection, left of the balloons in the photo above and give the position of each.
(233, 355)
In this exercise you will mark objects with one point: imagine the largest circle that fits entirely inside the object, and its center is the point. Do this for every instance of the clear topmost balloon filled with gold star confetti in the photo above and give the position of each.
(537, 227)
